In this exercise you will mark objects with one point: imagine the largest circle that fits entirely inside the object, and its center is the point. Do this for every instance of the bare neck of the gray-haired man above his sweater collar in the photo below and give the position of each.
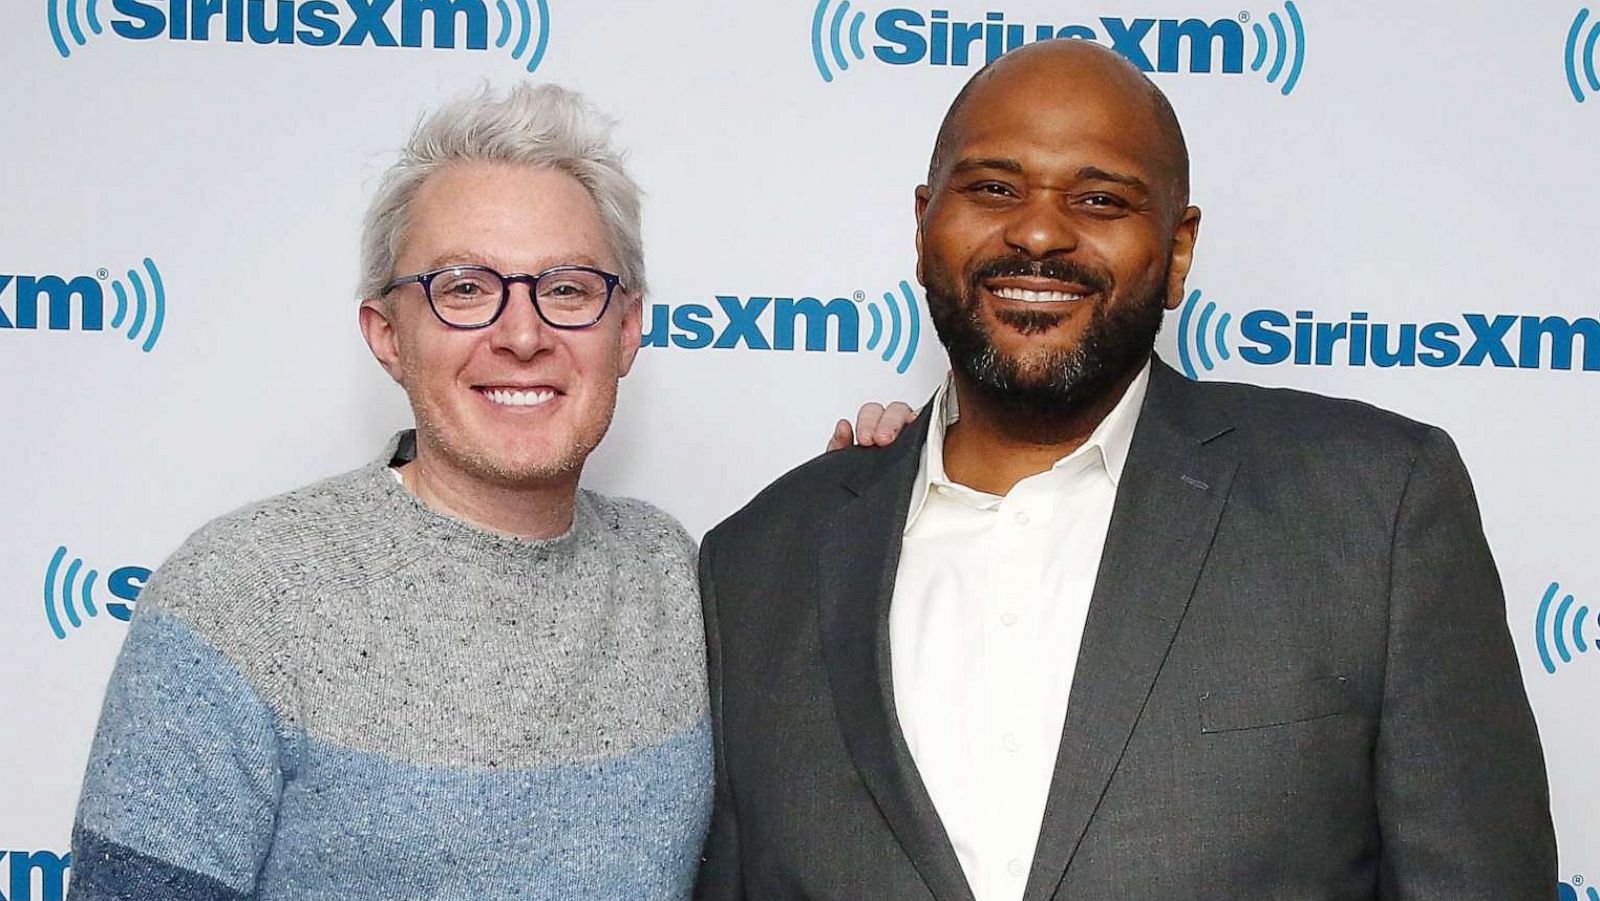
(543, 511)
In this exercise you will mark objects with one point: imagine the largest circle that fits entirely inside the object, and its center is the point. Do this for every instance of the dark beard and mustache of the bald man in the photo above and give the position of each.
(1049, 385)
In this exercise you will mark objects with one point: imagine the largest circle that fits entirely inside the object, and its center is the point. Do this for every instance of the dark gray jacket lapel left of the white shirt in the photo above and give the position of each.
(857, 582)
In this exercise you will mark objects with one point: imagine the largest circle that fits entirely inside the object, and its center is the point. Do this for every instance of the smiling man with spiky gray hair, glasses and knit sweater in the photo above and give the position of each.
(450, 673)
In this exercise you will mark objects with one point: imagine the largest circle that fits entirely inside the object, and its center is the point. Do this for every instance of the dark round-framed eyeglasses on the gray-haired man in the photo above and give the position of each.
(474, 297)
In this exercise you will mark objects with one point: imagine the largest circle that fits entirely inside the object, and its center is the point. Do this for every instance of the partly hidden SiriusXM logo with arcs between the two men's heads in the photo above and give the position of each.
(775, 324)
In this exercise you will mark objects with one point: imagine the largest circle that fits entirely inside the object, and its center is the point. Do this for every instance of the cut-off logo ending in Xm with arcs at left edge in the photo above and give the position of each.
(142, 310)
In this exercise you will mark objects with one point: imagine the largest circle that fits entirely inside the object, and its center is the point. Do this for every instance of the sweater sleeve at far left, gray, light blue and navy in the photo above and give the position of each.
(185, 777)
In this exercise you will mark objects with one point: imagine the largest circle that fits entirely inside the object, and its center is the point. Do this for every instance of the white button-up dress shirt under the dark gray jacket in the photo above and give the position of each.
(985, 628)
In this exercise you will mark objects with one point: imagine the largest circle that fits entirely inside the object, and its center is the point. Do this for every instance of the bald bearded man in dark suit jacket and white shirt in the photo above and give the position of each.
(1092, 631)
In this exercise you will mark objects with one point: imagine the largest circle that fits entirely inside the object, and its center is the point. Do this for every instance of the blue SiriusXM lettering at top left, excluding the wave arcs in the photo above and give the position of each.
(314, 23)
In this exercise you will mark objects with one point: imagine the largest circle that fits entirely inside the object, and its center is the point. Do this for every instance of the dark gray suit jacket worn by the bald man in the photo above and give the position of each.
(1295, 681)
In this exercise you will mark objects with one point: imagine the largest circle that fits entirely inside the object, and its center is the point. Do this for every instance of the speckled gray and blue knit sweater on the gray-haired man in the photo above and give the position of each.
(343, 695)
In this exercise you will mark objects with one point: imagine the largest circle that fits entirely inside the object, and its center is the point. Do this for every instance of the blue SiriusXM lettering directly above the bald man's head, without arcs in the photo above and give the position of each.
(910, 38)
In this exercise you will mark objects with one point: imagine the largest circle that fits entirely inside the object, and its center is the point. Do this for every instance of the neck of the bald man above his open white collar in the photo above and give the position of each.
(994, 444)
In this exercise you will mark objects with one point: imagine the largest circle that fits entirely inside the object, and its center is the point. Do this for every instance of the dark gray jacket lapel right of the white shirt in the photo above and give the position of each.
(1166, 516)
